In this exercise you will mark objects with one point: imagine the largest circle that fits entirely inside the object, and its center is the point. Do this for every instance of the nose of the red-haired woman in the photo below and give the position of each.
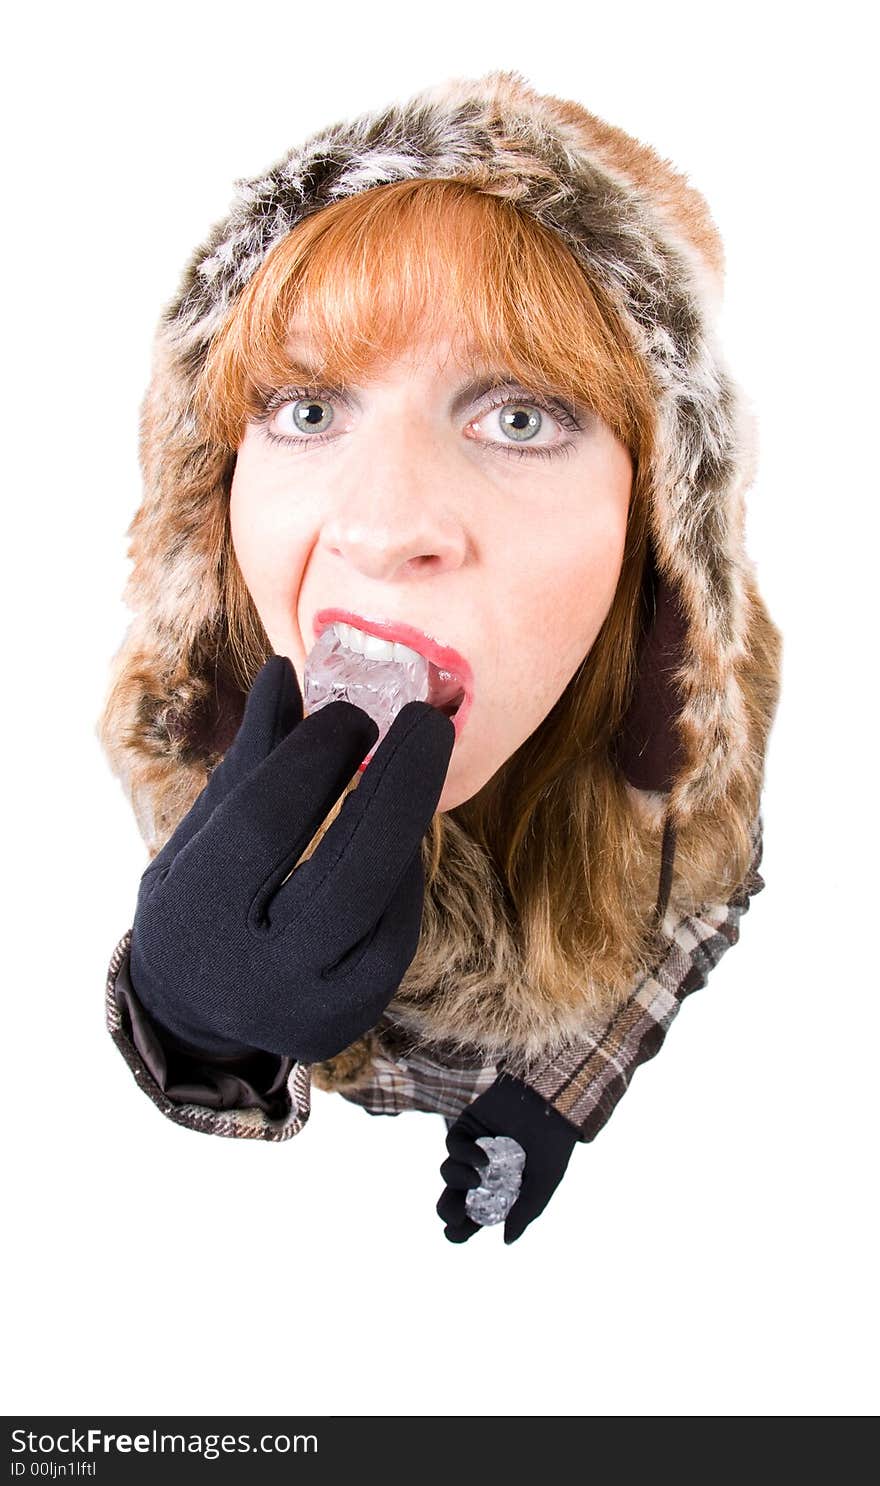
(395, 515)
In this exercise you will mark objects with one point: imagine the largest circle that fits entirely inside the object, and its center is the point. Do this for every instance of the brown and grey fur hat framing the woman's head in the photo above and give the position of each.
(646, 236)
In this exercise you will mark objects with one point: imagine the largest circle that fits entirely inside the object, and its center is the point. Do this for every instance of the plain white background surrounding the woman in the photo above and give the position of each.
(714, 1250)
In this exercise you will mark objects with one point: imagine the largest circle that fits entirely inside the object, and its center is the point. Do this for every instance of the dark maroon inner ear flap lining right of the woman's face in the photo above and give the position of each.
(649, 742)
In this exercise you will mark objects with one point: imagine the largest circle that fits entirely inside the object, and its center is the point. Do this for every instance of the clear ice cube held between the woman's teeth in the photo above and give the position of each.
(381, 687)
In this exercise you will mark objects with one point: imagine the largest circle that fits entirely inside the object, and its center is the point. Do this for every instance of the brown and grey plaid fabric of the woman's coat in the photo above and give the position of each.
(583, 1083)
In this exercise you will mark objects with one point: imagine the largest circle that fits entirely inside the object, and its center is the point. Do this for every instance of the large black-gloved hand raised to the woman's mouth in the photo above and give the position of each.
(231, 958)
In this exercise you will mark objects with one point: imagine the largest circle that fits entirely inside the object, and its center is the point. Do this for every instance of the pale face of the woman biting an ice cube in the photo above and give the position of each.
(417, 499)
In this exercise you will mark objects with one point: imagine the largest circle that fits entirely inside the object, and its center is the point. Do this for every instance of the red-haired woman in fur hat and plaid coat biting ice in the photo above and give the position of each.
(447, 377)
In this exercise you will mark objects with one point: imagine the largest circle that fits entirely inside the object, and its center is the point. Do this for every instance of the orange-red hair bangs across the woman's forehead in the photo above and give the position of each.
(384, 271)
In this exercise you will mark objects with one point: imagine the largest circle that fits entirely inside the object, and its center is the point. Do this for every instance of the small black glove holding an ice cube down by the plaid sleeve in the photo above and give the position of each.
(508, 1108)
